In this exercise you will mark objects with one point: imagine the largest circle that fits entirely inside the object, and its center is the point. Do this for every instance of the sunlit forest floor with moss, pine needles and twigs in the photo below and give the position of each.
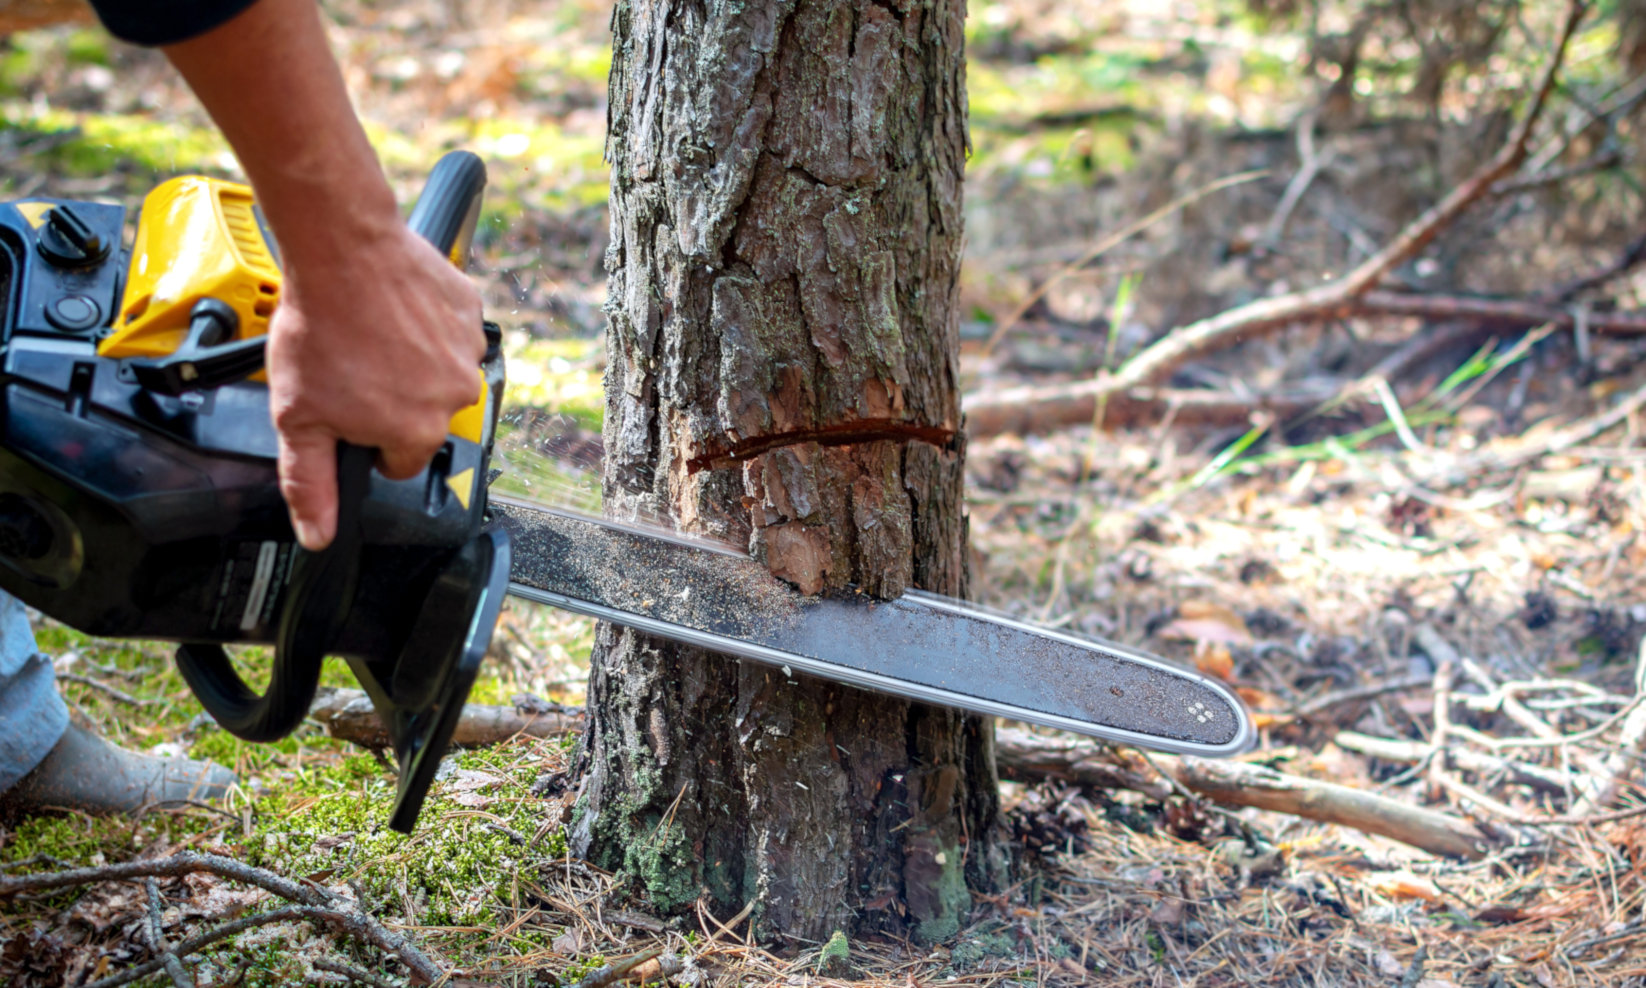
(1443, 556)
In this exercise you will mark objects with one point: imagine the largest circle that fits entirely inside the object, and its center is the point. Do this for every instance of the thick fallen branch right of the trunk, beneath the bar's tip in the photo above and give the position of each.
(1031, 758)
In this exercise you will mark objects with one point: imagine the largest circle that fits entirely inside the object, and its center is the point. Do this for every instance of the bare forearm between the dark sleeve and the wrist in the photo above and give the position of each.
(276, 91)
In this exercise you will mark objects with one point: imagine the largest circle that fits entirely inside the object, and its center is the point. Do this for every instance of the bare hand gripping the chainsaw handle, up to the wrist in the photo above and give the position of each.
(378, 347)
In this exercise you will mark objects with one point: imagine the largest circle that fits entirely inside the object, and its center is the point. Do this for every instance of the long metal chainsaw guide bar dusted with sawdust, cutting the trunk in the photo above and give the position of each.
(919, 646)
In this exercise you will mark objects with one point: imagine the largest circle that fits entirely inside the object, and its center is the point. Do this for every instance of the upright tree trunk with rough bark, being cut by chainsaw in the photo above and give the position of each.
(783, 375)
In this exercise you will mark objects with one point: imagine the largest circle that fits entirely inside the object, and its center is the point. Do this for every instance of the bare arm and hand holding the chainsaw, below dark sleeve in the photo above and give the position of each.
(378, 340)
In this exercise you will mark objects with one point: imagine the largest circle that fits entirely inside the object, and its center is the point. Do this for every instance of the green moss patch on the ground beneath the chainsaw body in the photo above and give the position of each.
(317, 809)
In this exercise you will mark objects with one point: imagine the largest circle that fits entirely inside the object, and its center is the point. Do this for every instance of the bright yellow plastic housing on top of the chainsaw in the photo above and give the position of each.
(202, 238)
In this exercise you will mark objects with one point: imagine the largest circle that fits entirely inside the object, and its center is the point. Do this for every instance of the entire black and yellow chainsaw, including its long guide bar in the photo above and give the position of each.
(139, 498)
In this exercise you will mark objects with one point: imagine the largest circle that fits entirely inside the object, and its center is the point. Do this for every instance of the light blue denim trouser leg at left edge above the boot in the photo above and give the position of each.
(32, 715)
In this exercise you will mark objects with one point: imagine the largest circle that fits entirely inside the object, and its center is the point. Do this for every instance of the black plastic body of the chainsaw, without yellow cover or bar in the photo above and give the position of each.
(128, 511)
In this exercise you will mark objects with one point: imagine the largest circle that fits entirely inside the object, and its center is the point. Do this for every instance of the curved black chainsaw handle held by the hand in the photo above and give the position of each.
(323, 585)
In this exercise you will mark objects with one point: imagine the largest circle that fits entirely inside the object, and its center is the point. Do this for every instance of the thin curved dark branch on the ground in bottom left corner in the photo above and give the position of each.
(320, 906)
